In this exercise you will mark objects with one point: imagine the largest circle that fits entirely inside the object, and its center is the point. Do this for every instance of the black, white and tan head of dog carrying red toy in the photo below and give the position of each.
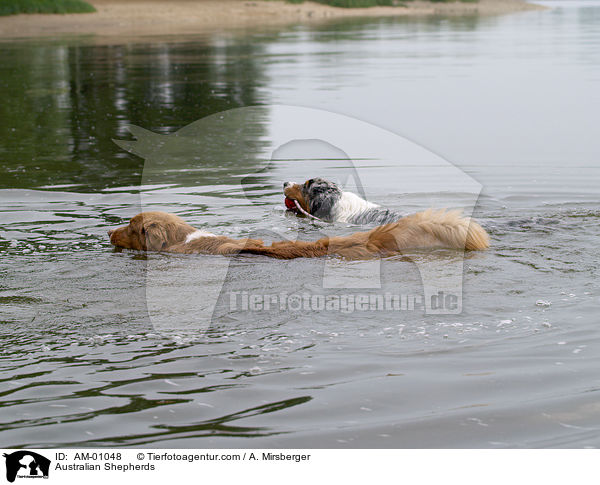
(316, 196)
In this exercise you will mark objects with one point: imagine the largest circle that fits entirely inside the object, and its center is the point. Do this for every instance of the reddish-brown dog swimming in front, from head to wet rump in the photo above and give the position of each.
(161, 231)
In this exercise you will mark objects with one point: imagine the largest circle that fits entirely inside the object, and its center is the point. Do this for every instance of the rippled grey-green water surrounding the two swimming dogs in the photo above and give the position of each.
(512, 101)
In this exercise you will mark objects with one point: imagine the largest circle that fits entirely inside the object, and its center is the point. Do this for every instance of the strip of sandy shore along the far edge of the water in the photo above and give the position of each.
(131, 18)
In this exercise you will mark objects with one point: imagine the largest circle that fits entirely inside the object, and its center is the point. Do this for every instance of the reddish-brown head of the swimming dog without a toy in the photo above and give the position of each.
(151, 231)
